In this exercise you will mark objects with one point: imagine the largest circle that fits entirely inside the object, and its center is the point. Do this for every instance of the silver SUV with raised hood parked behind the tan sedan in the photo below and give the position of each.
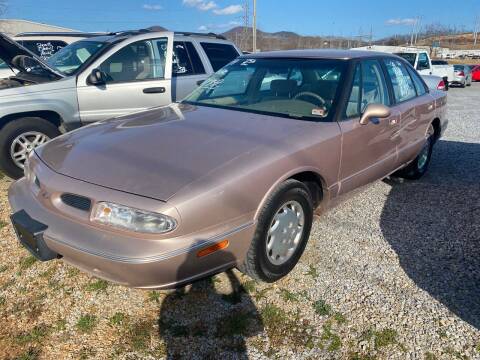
(95, 79)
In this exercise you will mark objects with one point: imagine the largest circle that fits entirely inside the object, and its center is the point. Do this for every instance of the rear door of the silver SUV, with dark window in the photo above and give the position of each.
(187, 69)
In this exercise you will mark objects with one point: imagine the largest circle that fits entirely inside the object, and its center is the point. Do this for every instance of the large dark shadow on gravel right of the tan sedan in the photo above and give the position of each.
(434, 226)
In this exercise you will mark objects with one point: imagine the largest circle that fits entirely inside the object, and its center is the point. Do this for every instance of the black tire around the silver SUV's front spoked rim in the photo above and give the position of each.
(11, 131)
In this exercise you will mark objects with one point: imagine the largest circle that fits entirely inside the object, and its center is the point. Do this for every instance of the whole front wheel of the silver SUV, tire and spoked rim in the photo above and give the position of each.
(18, 138)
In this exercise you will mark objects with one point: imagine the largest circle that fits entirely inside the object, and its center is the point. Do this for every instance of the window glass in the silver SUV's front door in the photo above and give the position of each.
(141, 60)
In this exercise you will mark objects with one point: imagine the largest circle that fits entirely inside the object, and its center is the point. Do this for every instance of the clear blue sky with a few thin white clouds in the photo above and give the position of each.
(306, 17)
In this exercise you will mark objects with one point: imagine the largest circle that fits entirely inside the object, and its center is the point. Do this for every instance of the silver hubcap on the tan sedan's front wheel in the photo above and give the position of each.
(285, 232)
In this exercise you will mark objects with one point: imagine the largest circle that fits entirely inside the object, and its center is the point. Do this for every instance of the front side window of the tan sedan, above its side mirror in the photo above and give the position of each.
(369, 87)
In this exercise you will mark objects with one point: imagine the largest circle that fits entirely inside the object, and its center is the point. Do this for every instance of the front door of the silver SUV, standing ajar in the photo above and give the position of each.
(138, 76)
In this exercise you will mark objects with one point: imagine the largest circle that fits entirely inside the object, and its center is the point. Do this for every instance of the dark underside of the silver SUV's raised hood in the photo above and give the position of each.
(9, 49)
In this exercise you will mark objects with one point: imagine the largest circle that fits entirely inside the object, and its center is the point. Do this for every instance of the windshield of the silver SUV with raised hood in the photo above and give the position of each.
(69, 59)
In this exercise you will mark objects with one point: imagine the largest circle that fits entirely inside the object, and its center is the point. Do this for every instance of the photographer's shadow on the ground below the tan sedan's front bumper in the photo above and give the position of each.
(200, 322)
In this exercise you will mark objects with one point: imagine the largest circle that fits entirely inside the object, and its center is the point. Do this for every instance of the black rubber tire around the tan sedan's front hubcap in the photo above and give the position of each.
(257, 264)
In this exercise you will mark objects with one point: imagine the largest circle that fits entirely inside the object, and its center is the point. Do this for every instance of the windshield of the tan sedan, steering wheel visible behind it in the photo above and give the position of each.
(296, 88)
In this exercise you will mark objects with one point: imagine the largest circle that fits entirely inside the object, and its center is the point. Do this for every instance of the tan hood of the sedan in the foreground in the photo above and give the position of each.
(158, 152)
